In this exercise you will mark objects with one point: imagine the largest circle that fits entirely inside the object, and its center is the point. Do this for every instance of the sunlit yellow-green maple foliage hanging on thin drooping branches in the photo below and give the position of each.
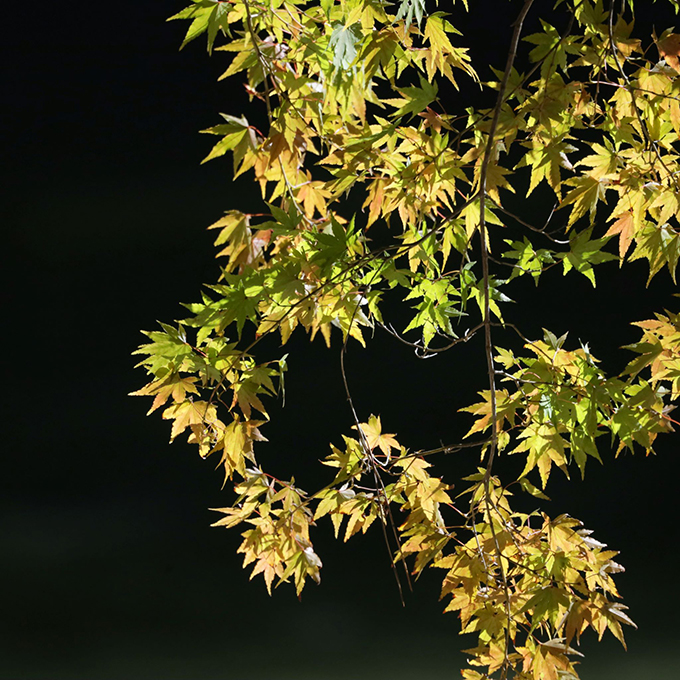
(351, 94)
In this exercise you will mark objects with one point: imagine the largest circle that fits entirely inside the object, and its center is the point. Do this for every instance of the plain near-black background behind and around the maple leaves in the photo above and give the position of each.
(109, 567)
